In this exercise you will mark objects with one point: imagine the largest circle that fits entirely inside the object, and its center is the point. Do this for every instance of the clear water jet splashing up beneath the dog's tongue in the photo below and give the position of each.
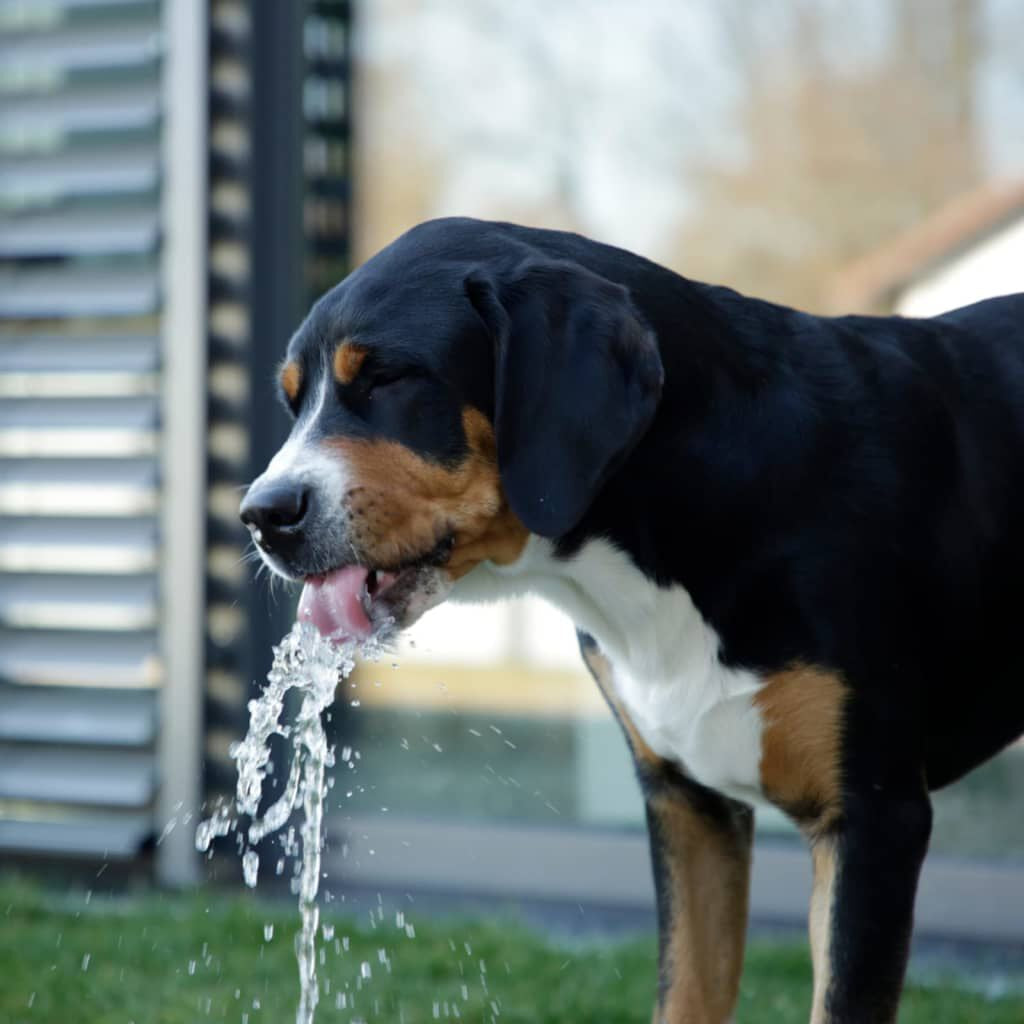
(307, 663)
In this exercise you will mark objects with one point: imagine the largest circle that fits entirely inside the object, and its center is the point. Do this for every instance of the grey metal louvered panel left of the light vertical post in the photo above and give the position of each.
(81, 294)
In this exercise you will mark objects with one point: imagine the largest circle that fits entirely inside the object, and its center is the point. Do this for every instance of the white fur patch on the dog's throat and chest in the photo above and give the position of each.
(689, 707)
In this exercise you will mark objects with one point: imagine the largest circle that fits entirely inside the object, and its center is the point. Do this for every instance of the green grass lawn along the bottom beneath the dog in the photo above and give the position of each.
(168, 960)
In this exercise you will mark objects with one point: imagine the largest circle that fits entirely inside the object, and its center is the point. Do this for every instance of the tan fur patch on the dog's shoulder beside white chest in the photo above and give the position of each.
(801, 744)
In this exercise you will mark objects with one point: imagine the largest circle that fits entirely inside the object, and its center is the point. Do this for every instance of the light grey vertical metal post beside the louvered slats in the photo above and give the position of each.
(184, 417)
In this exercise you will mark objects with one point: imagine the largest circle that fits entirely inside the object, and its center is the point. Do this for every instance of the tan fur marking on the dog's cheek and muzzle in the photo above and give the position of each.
(402, 504)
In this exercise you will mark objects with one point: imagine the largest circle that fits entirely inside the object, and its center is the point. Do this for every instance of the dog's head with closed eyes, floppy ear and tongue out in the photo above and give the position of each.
(456, 394)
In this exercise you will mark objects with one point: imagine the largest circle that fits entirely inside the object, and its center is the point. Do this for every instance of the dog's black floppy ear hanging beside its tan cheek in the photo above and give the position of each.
(578, 378)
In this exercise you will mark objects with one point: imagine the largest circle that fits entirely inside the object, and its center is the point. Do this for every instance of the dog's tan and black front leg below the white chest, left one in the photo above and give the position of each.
(701, 855)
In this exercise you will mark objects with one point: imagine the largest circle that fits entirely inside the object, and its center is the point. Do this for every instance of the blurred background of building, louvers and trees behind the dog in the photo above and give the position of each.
(180, 181)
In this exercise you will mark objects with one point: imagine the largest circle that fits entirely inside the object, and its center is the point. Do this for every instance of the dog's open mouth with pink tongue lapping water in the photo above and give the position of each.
(353, 603)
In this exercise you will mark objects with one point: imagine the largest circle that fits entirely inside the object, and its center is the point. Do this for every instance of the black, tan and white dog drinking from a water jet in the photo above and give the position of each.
(791, 544)
